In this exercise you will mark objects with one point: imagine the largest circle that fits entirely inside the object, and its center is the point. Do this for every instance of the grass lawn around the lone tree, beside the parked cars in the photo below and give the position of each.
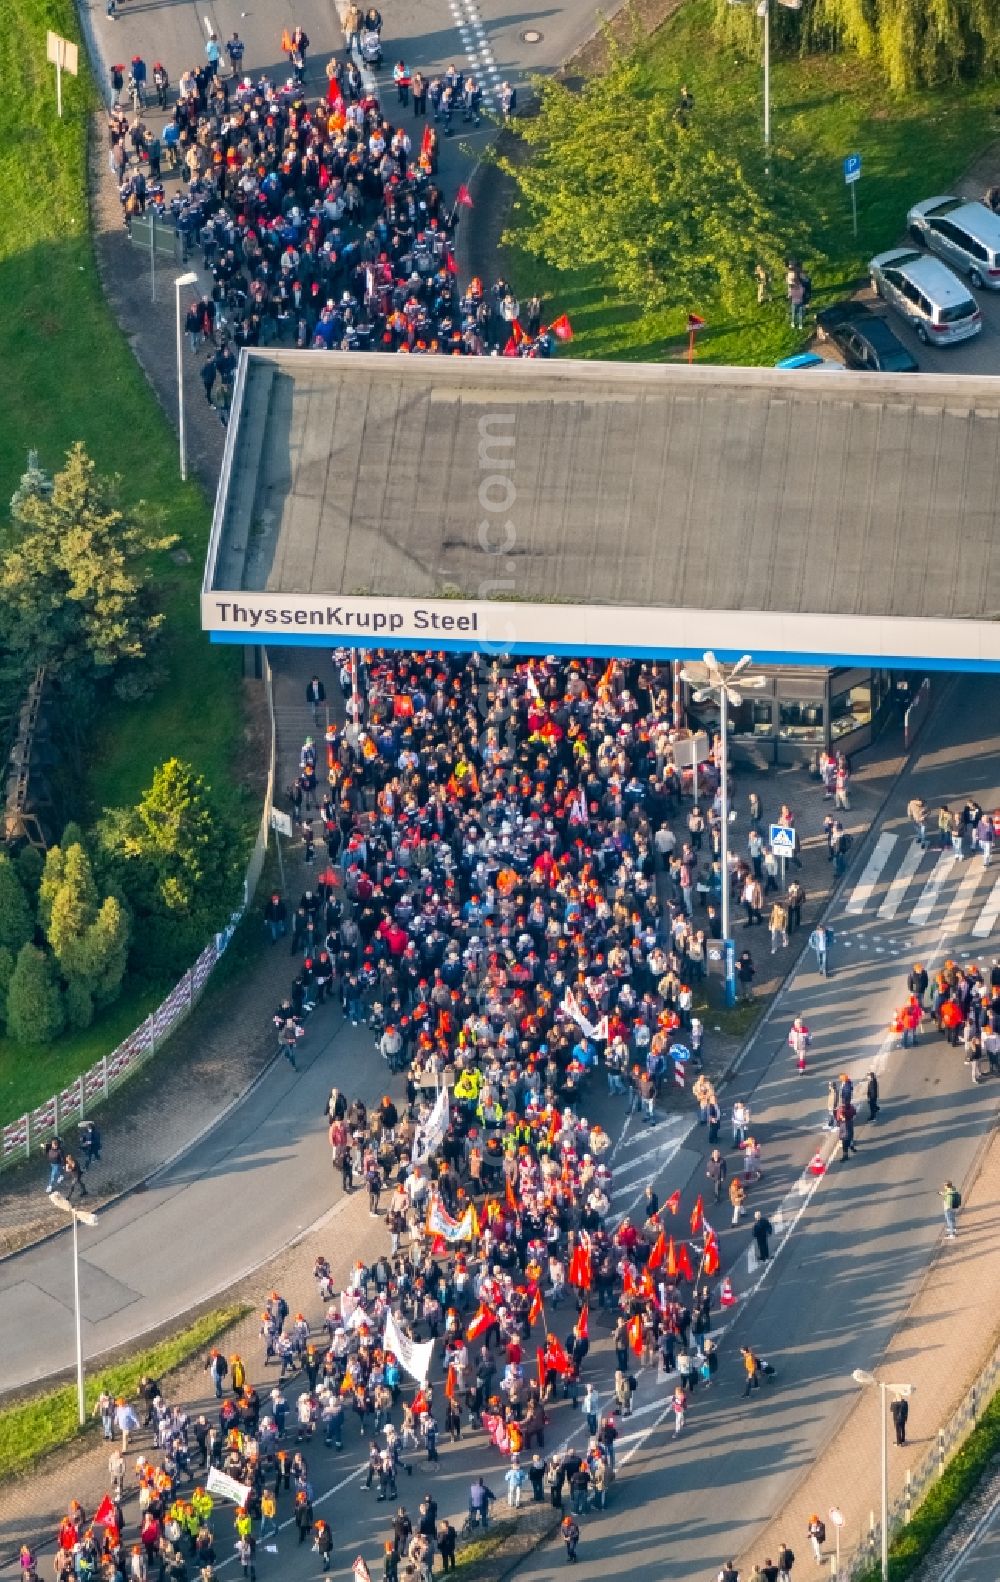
(824, 108)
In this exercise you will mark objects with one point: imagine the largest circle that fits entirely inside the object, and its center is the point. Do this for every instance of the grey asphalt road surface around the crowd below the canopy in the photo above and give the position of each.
(849, 1251)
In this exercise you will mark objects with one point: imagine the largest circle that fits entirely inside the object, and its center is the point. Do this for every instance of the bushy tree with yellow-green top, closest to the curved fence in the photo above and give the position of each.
(175, 861)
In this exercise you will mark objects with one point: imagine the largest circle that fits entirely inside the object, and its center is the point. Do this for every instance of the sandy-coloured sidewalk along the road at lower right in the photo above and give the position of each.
(947, 1338)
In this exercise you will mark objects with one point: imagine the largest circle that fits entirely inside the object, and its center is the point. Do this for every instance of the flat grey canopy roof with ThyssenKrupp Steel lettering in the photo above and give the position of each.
(631, 488)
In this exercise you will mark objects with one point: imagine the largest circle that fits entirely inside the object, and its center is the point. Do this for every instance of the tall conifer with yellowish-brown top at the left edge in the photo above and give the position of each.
(75, 592)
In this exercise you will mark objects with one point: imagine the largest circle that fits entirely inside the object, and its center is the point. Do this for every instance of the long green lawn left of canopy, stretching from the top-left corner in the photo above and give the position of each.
(69, 374)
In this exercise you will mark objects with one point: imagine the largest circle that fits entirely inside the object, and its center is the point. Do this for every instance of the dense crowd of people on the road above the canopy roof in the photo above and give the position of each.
(320, 218)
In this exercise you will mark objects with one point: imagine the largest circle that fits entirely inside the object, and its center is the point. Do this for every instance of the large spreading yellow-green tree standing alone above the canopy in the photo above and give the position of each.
(665, 208)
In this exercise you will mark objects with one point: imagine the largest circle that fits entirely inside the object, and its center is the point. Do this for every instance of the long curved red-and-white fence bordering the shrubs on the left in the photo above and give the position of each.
(21, 1138)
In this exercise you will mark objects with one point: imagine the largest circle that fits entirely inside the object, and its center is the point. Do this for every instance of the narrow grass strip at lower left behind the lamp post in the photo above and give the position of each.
(45, 1423)
